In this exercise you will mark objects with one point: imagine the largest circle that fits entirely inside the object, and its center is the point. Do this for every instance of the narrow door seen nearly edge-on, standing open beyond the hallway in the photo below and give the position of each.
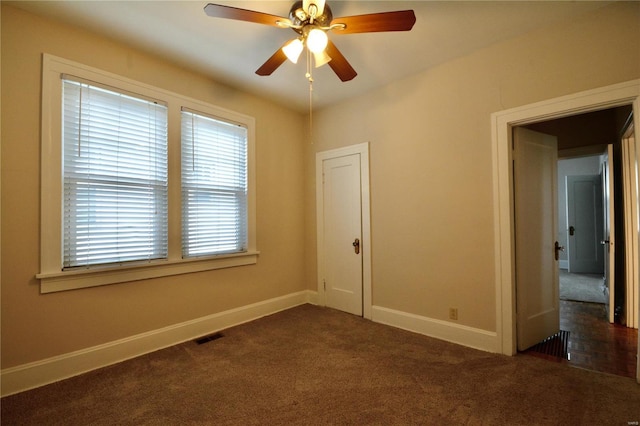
(608, 231)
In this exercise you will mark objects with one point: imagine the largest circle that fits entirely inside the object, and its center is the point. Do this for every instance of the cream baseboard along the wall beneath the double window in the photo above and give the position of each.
(39, 373)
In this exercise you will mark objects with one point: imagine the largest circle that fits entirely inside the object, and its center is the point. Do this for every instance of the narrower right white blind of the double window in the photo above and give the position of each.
(214, 186)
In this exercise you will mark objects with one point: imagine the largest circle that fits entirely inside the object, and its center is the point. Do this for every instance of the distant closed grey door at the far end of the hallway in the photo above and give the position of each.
(584, 220)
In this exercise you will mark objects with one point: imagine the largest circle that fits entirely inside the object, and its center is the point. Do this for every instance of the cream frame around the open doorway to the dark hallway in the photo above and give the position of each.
(502, 122)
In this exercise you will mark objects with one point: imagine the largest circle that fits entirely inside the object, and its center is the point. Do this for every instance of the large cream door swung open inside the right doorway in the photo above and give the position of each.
(535, 187)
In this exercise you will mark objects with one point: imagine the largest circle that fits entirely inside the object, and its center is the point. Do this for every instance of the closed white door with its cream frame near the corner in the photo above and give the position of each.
(343, 229)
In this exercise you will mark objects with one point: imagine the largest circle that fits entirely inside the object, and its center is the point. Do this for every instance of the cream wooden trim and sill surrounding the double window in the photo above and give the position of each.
(52, 277)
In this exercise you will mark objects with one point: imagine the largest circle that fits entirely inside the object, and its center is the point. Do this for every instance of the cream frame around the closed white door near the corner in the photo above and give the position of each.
(365, 244)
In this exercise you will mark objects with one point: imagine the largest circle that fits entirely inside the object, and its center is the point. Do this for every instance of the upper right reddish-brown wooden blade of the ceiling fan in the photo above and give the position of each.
(401, 20)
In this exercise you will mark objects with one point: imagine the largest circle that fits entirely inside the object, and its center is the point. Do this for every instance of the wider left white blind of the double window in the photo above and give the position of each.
(115, 176)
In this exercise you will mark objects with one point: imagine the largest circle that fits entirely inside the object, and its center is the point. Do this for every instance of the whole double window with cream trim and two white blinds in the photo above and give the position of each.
(114, 195)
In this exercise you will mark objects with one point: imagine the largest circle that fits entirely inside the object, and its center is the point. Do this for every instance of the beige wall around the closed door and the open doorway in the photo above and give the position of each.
(431, 165)
